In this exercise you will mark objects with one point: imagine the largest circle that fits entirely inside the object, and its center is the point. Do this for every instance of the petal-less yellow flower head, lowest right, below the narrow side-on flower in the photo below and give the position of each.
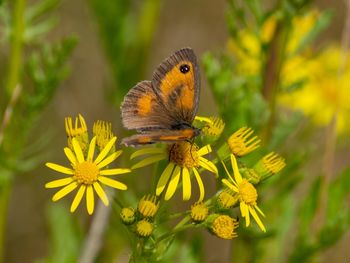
(224, 226)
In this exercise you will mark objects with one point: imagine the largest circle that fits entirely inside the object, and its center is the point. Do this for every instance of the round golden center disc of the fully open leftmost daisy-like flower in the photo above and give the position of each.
(86, 172)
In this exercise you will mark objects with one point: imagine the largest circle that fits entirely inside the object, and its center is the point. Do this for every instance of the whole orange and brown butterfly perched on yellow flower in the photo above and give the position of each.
(162, 110)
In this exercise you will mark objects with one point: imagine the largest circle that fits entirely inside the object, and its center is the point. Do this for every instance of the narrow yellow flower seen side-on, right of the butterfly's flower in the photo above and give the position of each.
(247, 194)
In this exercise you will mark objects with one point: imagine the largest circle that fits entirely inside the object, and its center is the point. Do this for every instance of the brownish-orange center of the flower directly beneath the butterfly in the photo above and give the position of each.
(184, 154)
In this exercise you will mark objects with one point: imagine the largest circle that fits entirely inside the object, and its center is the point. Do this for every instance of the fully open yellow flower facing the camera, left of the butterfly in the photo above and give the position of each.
(87, 174)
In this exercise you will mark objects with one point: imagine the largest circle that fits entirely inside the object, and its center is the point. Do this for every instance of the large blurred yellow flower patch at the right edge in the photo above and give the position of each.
(326, 92)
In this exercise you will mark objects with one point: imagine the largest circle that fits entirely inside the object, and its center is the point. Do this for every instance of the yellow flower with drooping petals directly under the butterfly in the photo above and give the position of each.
(184, 158)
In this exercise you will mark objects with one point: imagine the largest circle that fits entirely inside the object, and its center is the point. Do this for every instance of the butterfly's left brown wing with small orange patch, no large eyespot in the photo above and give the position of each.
(141, 109)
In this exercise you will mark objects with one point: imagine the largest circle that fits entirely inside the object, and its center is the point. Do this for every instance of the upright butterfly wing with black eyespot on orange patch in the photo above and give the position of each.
(176, 83)
